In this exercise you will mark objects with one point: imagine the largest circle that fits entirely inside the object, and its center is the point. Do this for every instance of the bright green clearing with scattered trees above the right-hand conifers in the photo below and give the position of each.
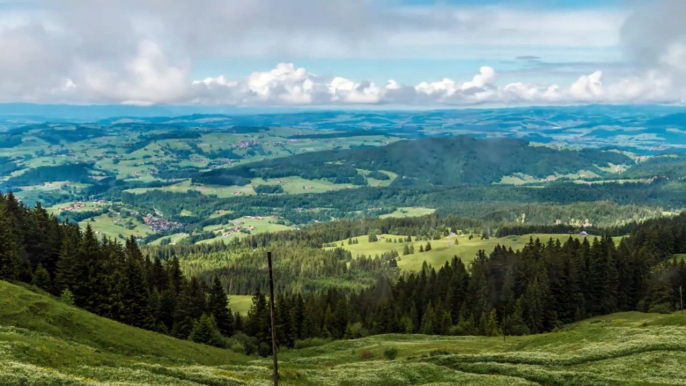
(444, 249)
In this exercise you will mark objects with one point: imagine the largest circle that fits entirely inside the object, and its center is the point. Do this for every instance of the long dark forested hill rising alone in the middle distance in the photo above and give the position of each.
(437, 161)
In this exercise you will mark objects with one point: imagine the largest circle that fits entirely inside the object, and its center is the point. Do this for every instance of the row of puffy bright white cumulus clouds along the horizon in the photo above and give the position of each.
(287, 84)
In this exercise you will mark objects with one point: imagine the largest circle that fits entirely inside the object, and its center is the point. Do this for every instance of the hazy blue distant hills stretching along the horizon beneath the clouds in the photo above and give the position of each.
(641, 129)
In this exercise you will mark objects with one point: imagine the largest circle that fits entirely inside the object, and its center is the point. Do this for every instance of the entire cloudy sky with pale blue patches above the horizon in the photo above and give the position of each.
(416, 53)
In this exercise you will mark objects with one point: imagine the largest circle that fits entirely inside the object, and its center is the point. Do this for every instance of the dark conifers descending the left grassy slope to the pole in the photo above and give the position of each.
(112, 280)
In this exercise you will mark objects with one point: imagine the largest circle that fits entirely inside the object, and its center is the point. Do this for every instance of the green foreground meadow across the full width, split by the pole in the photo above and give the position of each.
(45, 343)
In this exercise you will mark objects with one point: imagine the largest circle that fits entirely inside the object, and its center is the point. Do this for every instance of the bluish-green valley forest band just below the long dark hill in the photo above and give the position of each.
(605, 204)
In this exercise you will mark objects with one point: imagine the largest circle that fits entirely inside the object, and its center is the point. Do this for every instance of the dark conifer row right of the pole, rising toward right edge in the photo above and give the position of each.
(537, 289)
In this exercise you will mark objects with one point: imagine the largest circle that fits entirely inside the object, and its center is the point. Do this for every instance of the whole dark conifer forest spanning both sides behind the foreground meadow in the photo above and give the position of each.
(533, 290)
